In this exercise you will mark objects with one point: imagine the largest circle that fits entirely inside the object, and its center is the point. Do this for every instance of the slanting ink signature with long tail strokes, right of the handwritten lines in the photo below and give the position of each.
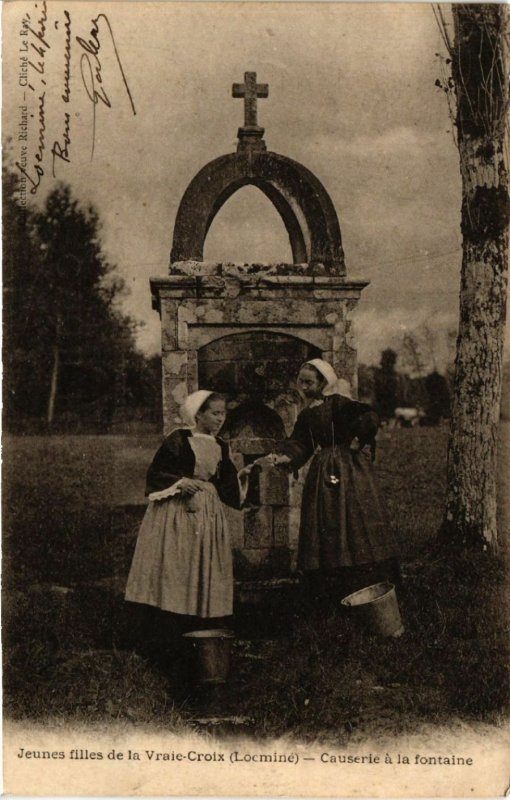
(90, 67)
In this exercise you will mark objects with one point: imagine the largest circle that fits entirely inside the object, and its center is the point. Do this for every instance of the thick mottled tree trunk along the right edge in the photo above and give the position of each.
(480, 74)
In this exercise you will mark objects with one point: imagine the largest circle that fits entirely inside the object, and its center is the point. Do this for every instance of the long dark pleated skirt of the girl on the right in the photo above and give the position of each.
(343, 518)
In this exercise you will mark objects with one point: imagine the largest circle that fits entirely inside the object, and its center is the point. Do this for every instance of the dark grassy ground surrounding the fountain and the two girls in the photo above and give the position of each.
(74, 650)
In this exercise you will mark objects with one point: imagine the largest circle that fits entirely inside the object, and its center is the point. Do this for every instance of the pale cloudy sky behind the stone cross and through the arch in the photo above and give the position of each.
(352, 96)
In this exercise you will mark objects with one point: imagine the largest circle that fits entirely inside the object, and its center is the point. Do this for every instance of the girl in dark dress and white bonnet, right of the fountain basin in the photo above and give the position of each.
(344, 529)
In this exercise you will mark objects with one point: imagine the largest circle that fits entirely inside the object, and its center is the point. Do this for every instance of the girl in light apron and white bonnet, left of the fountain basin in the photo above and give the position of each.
(183, 558)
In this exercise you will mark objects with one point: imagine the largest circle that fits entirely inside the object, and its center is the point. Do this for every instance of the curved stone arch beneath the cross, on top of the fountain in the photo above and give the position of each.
(299, 197)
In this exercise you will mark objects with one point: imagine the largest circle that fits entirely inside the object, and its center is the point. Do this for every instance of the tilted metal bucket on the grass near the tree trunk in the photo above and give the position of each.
(377, 607)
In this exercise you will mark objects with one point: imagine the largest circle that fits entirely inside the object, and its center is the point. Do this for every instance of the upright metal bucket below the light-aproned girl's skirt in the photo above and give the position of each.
(211, 654)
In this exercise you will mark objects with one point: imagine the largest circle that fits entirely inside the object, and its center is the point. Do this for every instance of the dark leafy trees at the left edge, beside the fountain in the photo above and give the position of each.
(70, 359)
